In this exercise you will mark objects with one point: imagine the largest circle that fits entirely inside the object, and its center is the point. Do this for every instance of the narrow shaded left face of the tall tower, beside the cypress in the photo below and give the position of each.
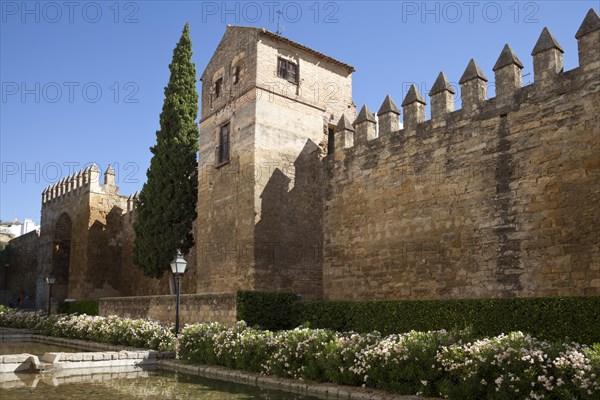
(225, 232)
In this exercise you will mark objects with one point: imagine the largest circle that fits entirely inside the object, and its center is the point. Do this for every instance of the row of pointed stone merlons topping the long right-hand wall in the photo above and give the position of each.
(548, 69)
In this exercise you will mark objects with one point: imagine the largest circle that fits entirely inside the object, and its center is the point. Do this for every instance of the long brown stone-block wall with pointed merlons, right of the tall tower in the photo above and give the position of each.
(500, 198)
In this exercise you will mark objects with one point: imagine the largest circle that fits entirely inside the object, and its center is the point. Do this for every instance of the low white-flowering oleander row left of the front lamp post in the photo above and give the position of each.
(113, 330)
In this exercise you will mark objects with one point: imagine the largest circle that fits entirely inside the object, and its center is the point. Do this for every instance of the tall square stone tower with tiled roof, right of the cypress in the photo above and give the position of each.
(269, 109)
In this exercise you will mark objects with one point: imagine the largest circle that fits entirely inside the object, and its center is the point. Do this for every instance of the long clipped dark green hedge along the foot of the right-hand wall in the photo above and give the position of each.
(548, 318)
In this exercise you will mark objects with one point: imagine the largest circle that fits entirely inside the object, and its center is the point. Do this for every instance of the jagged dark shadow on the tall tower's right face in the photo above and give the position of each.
(289, 235)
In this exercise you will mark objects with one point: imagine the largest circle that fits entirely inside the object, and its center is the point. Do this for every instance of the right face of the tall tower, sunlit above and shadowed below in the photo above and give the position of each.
(292, 123)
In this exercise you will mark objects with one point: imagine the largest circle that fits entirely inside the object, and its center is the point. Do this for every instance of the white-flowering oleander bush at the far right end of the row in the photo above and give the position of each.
(518, 366)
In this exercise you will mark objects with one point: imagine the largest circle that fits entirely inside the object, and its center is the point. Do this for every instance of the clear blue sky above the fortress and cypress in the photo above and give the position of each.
(83, 81)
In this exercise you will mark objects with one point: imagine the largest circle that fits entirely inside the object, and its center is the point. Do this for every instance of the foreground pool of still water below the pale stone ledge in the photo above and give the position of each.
(142, 384)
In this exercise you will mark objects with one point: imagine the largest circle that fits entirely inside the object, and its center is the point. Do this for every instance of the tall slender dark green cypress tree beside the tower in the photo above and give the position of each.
(166, 207)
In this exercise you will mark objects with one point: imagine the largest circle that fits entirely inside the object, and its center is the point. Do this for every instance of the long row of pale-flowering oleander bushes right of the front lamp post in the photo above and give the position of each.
(433, 363)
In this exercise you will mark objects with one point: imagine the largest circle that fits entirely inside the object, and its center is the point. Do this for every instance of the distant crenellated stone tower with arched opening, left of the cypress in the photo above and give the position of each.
(80, 236)
